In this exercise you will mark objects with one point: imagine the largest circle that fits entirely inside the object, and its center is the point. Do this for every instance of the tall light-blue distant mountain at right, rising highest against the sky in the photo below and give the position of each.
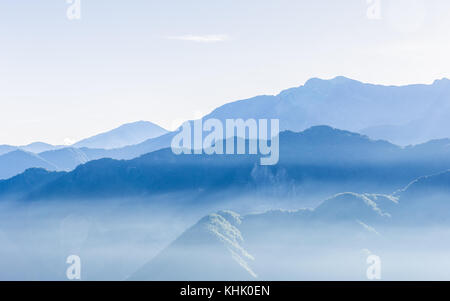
(402, 115)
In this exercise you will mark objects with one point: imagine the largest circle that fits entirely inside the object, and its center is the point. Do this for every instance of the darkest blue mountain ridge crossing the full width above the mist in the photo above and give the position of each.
(313, 164)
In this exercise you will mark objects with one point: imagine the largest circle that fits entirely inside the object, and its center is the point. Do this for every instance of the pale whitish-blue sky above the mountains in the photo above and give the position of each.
(173, 60)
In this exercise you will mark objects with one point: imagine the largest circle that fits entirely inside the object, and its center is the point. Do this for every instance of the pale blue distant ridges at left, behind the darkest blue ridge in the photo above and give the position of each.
(115, 143)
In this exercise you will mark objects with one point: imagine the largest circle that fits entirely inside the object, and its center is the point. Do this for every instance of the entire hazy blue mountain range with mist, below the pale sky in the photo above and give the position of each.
(134, 195)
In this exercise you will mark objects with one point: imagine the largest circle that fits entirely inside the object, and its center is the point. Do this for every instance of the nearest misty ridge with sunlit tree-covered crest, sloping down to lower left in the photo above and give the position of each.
(407, 231)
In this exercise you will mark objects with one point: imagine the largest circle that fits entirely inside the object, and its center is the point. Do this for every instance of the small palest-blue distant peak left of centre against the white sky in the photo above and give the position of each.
(127, 134)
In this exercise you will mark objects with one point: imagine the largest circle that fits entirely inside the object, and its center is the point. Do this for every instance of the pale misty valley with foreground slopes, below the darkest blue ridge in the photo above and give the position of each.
(167, 238)
